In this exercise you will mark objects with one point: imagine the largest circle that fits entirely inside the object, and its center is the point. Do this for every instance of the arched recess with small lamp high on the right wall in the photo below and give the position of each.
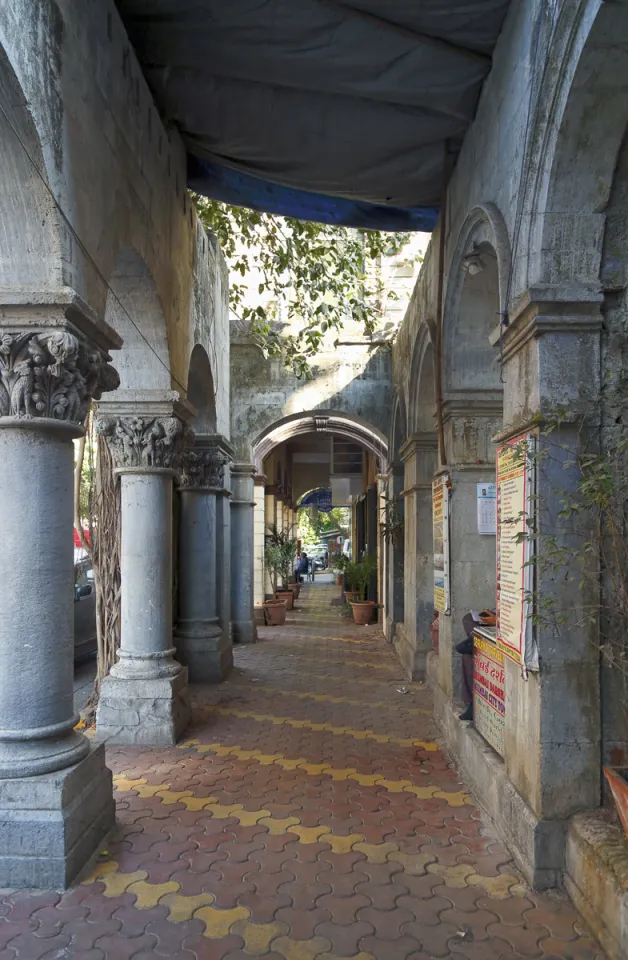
(476, 289)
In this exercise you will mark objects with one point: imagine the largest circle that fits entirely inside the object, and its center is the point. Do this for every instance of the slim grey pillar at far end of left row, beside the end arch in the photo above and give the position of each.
(242, 553)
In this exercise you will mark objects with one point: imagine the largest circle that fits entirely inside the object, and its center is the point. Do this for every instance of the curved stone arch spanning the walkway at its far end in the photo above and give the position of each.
(321, 421)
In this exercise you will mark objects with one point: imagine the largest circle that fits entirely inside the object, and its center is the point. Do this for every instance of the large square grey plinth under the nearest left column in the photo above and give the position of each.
(51, 824)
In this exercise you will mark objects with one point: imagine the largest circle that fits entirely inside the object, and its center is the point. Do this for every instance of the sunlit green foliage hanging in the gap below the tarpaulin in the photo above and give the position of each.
(319, 274)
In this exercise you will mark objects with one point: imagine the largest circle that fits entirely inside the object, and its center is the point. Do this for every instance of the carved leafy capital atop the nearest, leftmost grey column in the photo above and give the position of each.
(51, 374)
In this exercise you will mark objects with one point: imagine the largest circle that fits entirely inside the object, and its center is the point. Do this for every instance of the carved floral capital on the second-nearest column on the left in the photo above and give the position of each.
(144, 442)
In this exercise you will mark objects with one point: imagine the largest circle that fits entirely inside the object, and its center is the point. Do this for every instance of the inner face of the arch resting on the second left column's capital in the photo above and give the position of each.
(134, 310)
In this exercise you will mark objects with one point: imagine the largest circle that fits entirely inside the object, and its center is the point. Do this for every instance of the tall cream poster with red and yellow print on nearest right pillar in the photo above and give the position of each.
(514, 573)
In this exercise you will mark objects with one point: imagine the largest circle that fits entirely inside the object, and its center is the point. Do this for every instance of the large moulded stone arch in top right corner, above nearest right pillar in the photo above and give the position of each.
(581, 140)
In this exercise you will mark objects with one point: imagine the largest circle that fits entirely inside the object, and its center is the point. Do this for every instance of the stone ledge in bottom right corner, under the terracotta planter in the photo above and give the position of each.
(596, 878)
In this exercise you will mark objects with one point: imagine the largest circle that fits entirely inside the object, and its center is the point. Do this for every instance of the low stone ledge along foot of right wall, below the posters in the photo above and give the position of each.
(538, 846)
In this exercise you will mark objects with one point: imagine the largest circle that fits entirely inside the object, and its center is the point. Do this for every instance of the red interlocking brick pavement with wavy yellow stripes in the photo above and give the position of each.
(308, 815)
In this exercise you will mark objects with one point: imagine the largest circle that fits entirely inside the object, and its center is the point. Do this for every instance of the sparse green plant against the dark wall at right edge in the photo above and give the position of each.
(586, 542)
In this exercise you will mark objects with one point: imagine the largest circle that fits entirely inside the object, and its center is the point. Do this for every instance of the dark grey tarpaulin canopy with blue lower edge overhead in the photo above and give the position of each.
(342, 108)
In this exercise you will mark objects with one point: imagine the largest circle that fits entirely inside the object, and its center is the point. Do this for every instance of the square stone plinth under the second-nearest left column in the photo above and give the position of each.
(150, 712)
